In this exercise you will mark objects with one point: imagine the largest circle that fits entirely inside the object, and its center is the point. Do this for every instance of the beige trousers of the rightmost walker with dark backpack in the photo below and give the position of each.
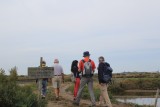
(104, 95)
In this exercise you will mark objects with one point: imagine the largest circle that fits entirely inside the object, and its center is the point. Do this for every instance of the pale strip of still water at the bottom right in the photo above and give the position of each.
(139, 101)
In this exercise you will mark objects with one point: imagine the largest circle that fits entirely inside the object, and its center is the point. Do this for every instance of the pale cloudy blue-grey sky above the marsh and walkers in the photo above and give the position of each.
(125, 32)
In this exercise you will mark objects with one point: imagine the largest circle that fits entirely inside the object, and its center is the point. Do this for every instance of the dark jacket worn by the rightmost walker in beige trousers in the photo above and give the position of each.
(101, 70)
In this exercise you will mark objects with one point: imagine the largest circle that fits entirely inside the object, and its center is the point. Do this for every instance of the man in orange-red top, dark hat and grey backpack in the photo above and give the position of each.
(87, 67)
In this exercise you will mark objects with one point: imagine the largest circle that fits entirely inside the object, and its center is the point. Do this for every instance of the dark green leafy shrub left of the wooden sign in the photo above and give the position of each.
(13, 95)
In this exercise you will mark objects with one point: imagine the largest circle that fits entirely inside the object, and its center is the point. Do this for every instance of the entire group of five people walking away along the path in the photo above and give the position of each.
(83, 72)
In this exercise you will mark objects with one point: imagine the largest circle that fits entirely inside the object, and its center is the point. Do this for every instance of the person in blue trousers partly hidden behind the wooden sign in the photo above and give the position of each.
(44, 83)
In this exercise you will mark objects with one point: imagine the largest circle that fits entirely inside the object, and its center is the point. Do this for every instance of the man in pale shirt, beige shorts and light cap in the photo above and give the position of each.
(58, 77)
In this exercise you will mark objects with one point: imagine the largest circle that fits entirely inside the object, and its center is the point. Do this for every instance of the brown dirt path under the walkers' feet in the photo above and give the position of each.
(66, 99)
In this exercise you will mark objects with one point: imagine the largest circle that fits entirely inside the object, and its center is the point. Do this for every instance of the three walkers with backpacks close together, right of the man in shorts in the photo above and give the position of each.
(87, 68)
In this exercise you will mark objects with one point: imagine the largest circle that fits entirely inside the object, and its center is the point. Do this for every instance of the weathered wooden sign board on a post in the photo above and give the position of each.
(40, 72)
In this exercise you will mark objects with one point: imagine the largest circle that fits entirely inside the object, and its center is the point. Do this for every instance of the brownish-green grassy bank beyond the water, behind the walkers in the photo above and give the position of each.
(119, 85)
